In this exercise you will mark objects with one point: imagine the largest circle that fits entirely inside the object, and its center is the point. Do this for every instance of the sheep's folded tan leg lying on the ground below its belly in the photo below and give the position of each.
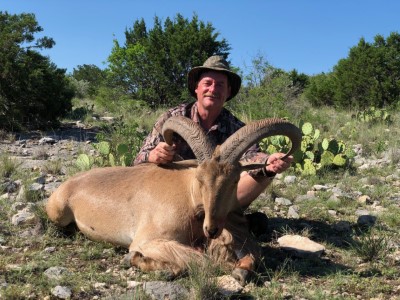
(164, 255)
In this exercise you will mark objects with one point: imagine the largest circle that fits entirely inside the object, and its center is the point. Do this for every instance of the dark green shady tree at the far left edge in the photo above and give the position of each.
(33, 91)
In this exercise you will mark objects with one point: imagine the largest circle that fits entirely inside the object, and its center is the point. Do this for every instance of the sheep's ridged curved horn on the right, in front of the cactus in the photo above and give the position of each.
(234, 147)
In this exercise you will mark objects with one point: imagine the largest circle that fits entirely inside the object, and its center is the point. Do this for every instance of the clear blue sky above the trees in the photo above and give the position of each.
(307, 35)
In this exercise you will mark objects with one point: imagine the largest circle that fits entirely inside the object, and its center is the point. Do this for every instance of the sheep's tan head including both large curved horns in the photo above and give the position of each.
(218, 172)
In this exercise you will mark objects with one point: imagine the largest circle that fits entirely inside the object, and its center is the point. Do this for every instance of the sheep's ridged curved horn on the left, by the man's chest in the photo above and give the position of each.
(191, 132)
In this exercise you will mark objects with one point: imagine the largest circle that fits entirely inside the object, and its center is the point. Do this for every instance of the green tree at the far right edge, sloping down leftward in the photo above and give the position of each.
(367, 77)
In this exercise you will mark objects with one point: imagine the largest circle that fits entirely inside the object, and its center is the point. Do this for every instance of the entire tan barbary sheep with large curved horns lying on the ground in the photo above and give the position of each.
(169, 215)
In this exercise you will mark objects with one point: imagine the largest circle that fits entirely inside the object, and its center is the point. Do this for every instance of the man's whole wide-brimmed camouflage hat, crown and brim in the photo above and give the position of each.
(214, 63)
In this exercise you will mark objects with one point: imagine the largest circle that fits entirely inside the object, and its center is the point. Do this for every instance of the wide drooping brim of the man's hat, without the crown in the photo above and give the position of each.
(194, 74)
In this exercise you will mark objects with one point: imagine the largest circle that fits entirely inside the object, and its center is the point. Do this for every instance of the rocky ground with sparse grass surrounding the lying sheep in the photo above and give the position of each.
(353, 213)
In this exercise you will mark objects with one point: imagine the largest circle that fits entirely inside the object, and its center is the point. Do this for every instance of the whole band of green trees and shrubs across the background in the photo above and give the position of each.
(149, 70)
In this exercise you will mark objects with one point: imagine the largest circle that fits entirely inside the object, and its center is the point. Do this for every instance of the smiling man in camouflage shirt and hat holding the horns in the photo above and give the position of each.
(212, 85)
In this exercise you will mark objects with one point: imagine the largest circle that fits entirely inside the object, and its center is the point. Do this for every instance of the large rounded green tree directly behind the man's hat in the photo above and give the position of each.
(152, 65)
